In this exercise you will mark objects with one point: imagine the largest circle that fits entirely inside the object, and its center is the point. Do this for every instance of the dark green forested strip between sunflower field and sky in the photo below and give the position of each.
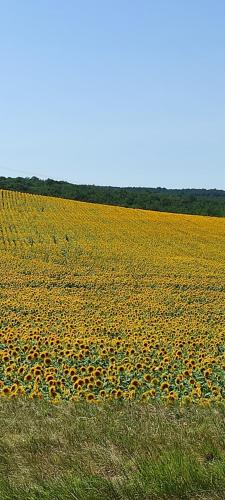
(187, 201)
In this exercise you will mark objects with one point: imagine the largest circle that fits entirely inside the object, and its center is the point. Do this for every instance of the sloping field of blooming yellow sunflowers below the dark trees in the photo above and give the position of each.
(105, 302)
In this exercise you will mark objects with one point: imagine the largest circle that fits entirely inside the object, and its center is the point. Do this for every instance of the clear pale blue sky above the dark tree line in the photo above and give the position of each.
(114, 92)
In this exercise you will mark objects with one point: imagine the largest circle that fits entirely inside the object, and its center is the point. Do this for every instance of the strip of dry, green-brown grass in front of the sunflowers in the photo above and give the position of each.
(121, 450)
